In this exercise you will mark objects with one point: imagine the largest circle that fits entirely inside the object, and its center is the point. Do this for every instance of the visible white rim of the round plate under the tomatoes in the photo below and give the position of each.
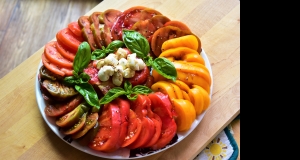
(121, 153)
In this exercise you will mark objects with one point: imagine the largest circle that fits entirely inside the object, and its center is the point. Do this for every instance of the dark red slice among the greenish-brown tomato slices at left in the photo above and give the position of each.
(59, 109)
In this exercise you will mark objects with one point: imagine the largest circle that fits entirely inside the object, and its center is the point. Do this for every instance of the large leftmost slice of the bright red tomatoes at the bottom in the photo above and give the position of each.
(107, 137)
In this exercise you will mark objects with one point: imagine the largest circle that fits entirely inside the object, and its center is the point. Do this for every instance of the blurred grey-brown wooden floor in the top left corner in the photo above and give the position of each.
(27, 25)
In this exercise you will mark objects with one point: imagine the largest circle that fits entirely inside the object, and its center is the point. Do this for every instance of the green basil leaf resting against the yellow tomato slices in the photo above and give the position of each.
(165, 68)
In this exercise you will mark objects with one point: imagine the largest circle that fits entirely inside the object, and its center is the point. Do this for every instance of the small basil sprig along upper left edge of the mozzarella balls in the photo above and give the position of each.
(111, 48)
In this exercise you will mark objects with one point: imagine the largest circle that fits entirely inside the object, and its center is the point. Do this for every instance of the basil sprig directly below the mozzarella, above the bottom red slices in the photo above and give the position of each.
(129, 91)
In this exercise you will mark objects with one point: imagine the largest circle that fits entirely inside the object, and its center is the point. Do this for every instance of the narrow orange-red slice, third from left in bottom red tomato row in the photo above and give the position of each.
(133, 130)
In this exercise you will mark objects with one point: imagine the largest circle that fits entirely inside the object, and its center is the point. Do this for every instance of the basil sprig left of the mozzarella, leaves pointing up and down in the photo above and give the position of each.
(80, 79)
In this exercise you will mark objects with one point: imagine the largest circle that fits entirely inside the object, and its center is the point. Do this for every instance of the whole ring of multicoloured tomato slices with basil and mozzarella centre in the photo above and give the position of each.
(119, 79)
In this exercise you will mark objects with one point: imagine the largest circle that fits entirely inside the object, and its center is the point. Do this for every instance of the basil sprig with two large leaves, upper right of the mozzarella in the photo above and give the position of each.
(138, 44)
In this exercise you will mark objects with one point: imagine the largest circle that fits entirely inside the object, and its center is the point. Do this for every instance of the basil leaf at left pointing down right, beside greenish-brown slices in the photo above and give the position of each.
(89, 94)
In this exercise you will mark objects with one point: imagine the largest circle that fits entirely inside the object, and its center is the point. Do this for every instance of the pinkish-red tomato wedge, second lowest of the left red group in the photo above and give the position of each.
(55, 57)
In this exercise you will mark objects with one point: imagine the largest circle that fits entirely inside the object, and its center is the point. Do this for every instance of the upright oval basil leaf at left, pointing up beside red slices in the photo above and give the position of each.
(82, 58)
